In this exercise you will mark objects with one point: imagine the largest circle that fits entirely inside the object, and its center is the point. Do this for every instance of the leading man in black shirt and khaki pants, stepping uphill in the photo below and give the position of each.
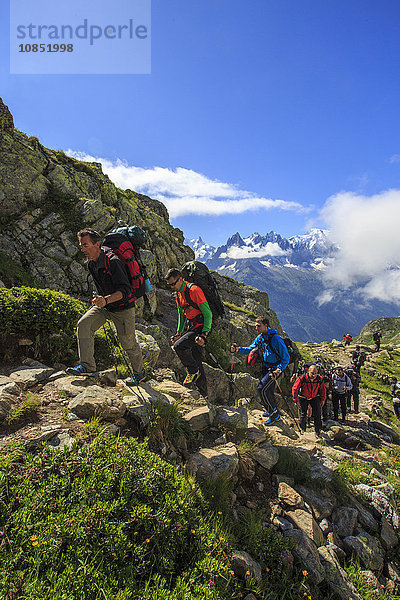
(113, 302)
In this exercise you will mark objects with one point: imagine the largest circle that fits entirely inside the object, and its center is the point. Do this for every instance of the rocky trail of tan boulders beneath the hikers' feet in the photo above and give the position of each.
(232, 440)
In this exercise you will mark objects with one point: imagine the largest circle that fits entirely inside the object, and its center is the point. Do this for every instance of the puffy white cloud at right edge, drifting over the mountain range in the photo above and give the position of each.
(366, 230)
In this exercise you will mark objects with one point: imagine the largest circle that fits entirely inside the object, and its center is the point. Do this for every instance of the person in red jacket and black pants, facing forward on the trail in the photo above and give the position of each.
(309, 391)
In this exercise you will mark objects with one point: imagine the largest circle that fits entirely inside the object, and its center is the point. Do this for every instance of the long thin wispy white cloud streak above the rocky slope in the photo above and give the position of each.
(184, 191)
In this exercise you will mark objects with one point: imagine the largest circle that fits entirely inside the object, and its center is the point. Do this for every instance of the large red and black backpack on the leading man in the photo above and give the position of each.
(121, 246)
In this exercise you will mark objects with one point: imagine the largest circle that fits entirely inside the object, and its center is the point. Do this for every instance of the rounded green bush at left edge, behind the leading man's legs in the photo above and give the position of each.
(46, 317)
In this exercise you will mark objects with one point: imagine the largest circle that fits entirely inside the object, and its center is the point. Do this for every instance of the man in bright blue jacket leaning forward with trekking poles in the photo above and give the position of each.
(275, 356)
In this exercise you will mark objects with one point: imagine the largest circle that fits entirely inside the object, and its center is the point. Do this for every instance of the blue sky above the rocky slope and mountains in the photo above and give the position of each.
(279, 105)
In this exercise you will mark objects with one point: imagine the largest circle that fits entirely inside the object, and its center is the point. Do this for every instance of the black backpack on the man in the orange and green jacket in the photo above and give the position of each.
(198, 273)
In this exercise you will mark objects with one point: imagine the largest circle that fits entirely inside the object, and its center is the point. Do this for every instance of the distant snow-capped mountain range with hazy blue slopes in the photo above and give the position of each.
(291, 270)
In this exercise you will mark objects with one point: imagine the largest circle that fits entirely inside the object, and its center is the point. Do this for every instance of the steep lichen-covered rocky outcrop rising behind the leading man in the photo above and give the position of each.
(46, 197)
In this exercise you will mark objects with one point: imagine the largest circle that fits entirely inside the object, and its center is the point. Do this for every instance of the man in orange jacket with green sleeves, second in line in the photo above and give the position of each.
(194, 325)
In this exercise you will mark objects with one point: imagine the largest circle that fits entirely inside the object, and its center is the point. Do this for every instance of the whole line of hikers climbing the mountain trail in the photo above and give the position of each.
(120, 278)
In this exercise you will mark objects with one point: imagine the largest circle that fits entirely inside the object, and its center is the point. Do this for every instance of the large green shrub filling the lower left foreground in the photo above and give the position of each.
(111, 520)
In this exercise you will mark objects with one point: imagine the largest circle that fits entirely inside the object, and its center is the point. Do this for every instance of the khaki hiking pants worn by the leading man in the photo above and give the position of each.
(124, 321)
